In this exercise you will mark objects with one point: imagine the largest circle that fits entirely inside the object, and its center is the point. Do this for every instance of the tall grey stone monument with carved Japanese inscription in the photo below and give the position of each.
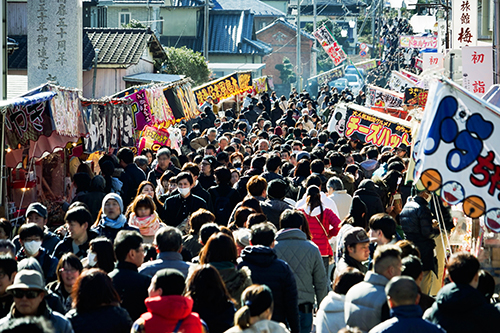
(55, 33)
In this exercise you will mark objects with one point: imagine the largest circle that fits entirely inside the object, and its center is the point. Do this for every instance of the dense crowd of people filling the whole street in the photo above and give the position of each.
(261, 222)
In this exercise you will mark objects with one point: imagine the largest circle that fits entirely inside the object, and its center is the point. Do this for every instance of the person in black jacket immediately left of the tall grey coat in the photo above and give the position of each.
(267, 269)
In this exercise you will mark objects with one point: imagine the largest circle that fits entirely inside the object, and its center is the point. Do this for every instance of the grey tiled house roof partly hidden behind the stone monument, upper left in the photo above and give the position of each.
(118, 47)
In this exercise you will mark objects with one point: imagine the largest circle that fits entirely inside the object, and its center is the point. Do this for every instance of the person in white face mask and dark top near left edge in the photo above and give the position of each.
(30, 236)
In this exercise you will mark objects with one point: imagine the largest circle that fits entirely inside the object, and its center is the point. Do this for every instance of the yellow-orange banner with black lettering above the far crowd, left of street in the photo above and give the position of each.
(224, 88)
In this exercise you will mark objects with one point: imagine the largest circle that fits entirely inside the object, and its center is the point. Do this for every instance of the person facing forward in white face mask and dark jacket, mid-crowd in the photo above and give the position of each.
(180, 206)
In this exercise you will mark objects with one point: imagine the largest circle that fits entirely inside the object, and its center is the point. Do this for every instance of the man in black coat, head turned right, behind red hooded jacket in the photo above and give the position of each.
(128, 282)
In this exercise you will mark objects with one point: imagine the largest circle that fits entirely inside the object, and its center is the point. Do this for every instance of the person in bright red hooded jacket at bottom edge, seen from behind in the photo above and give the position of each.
(168, 310)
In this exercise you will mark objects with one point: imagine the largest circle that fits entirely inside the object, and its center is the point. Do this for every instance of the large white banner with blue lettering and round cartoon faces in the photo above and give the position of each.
(456, 151)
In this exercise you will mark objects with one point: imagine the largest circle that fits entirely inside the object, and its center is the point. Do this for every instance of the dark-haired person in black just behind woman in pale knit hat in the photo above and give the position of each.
(131, 177)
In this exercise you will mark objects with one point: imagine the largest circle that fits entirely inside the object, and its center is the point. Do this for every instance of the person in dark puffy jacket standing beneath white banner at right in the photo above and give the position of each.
(416, 219)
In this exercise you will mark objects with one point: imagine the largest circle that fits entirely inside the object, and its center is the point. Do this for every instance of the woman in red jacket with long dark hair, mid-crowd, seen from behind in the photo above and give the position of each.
(323, 223)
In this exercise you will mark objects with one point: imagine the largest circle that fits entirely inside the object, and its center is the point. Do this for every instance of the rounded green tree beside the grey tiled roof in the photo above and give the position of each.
(184, 61)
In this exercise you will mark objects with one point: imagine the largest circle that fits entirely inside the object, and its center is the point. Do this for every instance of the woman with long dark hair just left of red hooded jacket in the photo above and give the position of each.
(96, 305)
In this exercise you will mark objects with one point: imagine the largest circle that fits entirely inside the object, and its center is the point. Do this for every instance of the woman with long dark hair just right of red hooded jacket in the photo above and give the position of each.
(211, 299)
